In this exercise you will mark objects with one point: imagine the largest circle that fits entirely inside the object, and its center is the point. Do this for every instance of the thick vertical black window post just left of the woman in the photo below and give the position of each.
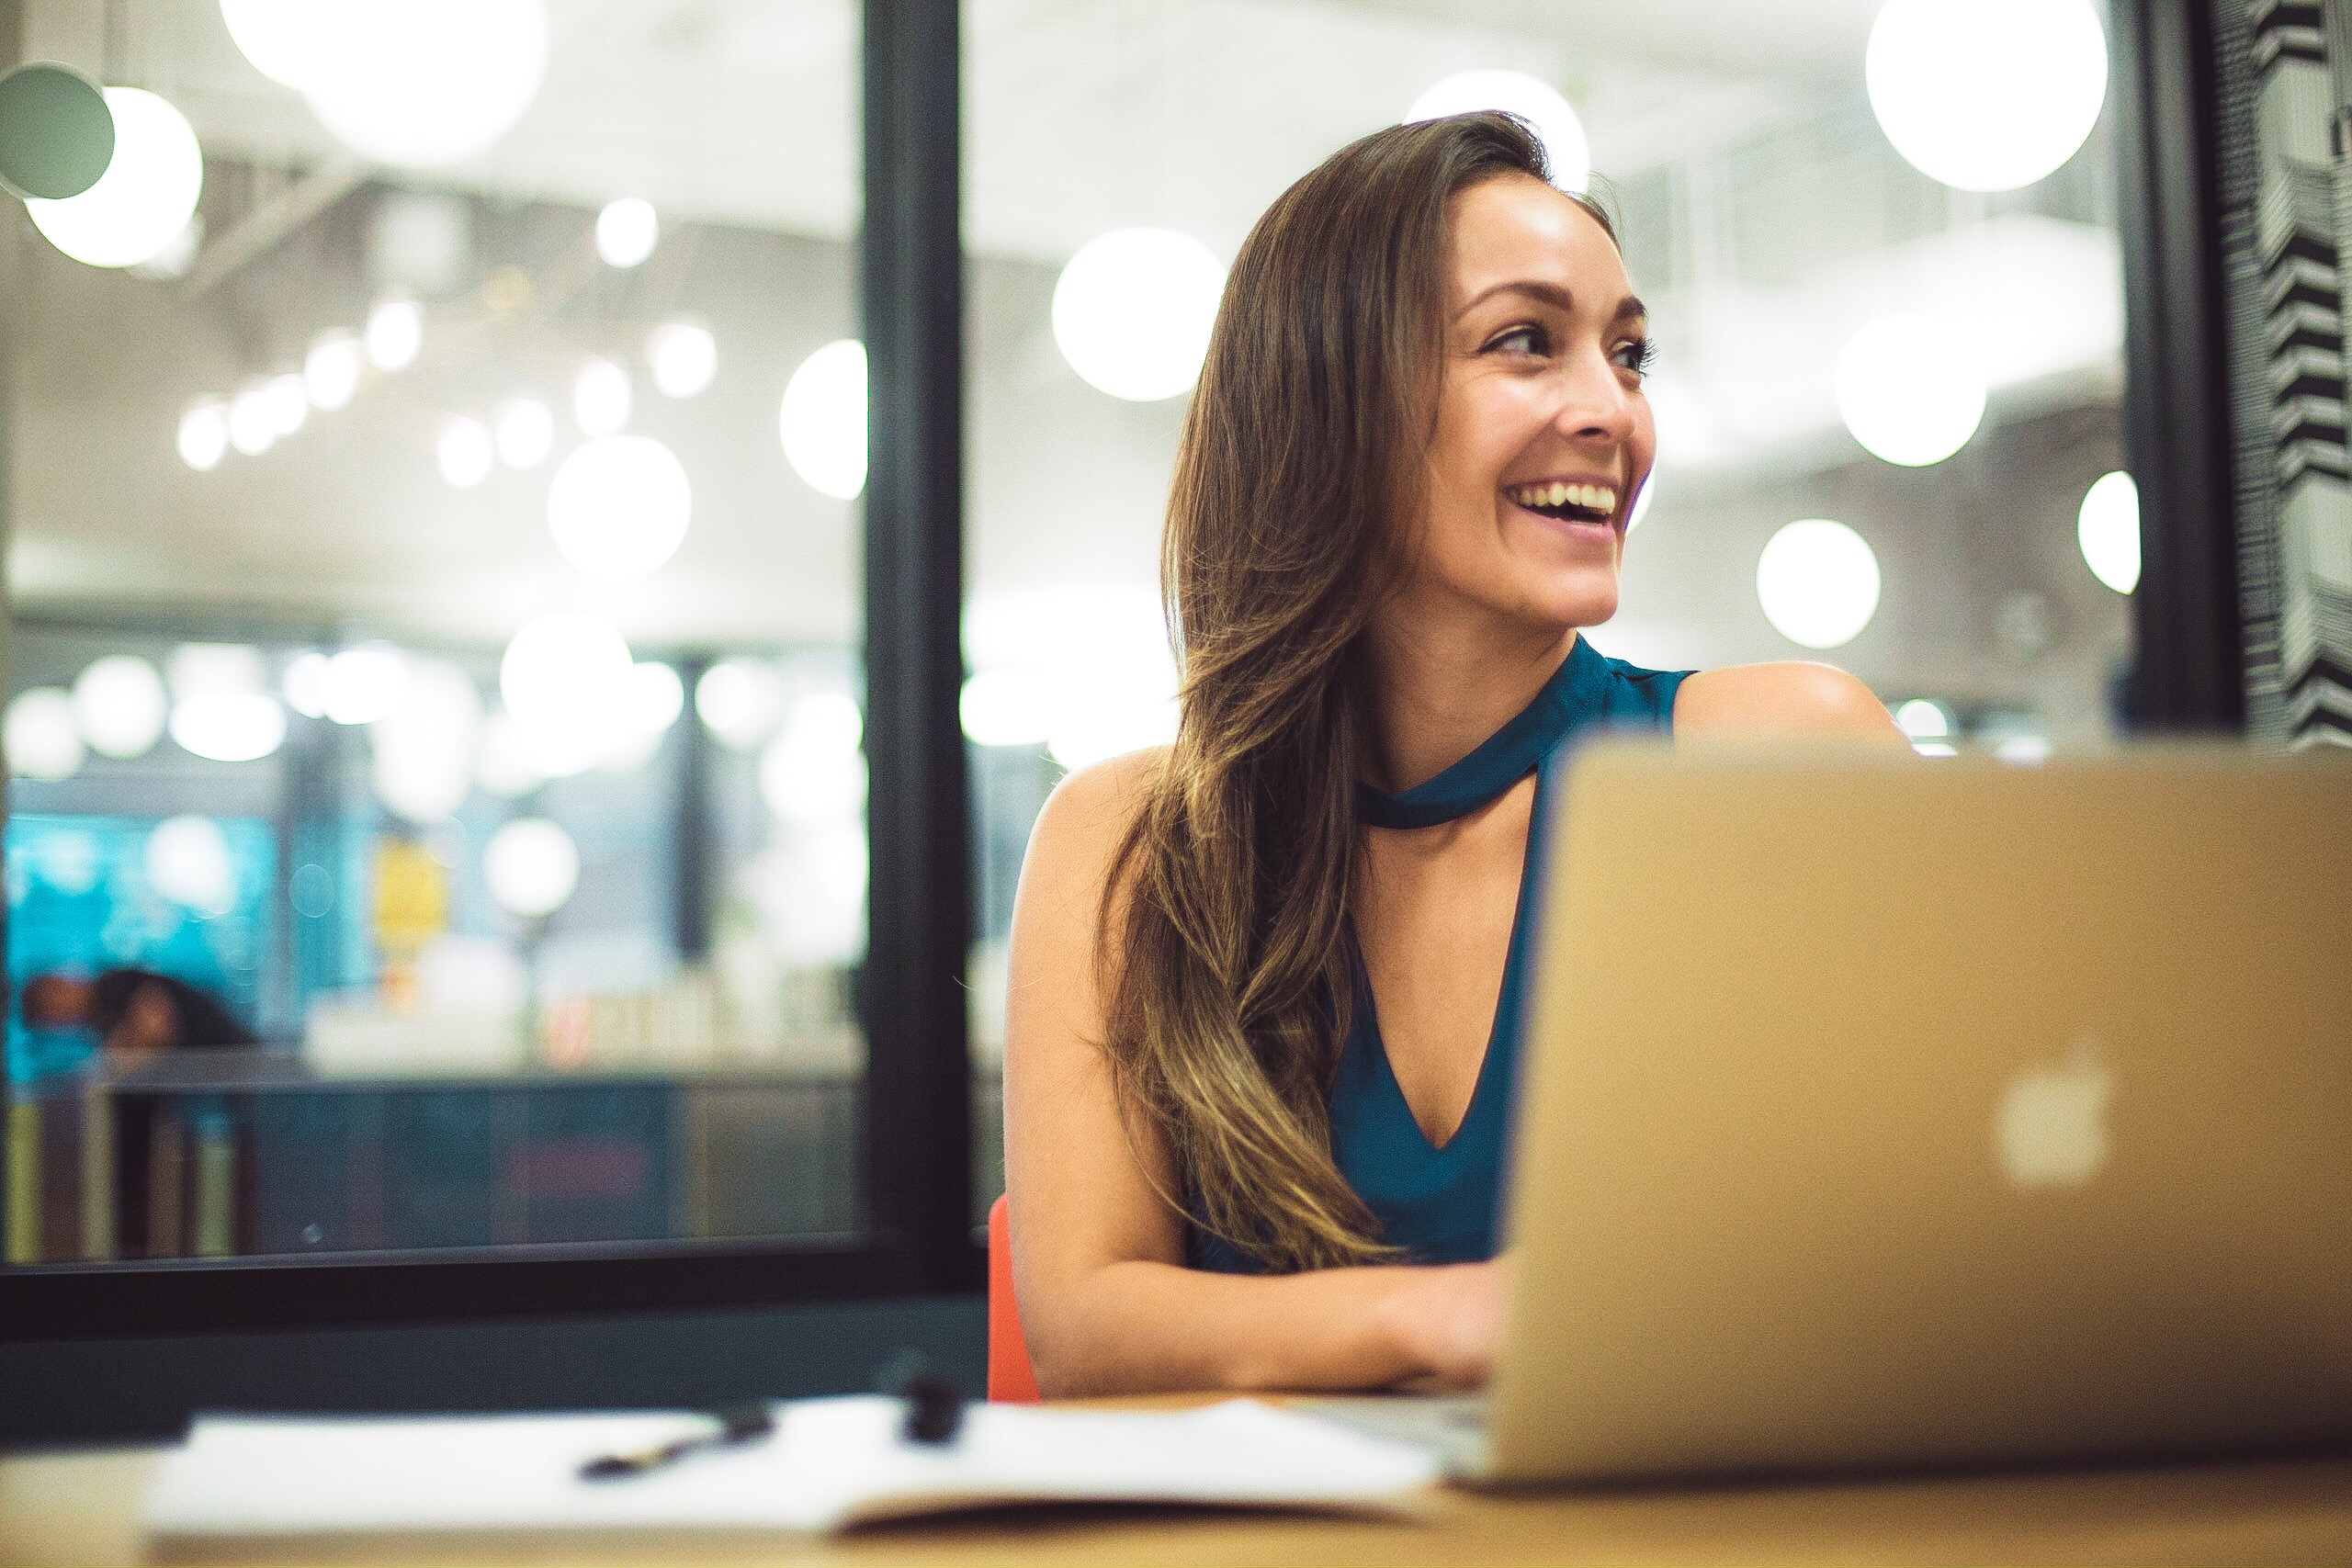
(918, 1083)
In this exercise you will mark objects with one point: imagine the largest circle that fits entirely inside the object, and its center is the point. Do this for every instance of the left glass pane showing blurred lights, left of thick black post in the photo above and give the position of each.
(436, 796)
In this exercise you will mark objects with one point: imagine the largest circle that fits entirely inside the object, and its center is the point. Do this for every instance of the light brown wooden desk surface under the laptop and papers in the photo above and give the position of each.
(79, 1510)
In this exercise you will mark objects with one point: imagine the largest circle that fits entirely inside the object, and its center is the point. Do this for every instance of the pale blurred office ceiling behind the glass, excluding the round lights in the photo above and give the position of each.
(1081, 116)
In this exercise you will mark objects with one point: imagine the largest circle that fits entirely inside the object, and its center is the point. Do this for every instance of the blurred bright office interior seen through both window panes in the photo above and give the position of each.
(434, 575)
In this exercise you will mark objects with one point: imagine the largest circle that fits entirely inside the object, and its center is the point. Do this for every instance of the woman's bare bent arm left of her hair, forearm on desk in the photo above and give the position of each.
(1107, 1301)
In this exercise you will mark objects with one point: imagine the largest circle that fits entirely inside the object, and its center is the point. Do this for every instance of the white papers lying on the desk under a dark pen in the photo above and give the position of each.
(831, 1463)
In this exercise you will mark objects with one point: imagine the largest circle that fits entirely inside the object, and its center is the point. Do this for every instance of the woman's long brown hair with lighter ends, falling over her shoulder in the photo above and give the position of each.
(1229, 972)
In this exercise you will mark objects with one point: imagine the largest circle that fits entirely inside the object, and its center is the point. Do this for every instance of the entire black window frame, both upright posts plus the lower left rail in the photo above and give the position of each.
(916, 1120)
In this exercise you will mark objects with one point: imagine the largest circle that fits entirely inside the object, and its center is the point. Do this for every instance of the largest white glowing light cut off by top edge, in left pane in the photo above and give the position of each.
(422, 83)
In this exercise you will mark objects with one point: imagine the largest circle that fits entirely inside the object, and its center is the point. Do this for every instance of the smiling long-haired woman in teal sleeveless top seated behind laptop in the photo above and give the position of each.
(1264, 981)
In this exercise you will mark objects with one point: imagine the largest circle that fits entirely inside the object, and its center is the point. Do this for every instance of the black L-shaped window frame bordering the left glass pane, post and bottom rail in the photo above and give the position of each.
(916, 1097)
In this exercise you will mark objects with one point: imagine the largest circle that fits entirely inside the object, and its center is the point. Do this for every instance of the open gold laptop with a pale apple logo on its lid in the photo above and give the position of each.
(1930, 1113)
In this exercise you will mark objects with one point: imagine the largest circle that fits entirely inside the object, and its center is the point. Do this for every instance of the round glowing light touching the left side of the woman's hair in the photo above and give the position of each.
(1135, 309)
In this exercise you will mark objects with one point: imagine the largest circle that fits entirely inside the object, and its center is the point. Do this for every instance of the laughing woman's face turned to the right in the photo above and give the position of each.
(1544, 434)
